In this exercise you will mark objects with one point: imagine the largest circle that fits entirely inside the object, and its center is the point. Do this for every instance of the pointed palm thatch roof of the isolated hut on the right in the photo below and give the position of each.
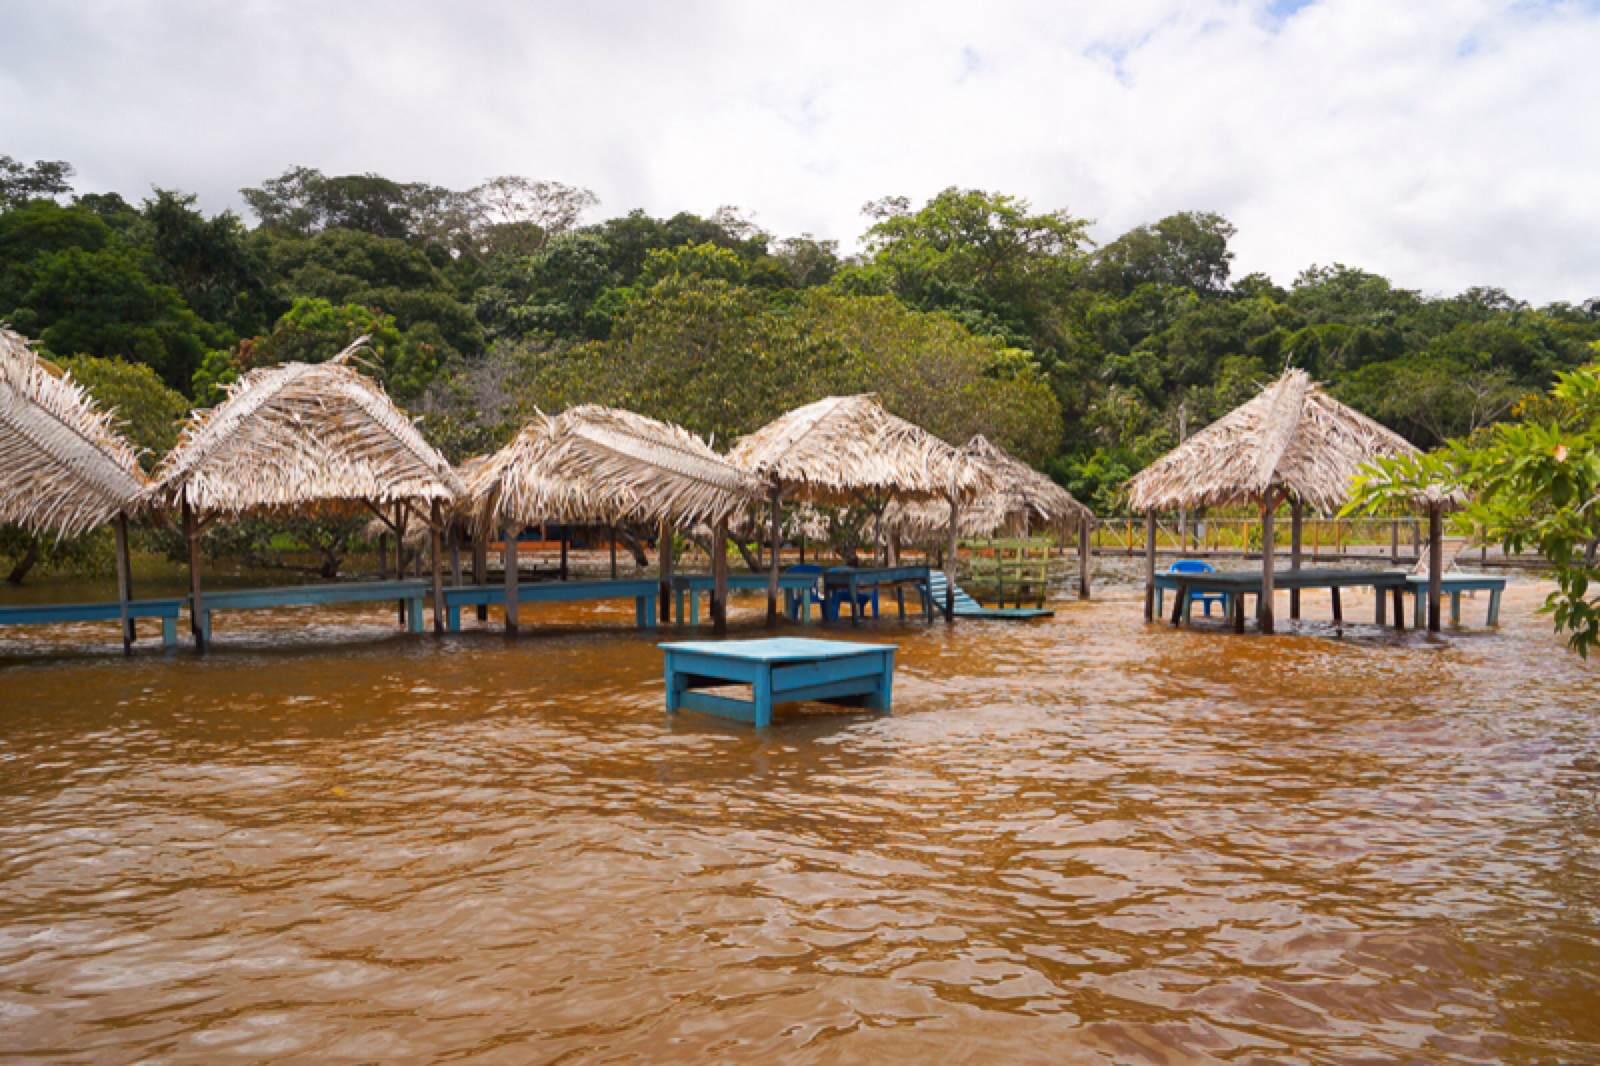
(1292, 438)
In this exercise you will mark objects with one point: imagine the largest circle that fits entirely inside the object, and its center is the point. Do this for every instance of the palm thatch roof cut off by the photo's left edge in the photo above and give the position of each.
(63, 465)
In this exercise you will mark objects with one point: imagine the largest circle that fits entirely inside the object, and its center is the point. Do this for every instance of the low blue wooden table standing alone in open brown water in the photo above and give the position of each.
(783, 670)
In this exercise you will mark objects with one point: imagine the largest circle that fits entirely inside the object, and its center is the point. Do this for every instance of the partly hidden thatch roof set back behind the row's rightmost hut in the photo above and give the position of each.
(1022, 497)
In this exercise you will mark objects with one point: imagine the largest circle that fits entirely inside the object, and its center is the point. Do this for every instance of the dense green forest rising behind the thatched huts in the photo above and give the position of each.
(970, 313)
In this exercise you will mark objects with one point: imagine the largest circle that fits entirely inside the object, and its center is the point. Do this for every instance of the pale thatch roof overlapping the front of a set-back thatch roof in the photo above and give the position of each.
(846, 447)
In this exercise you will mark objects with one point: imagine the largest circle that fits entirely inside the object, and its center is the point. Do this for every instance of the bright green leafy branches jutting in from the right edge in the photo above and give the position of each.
(1532, 484)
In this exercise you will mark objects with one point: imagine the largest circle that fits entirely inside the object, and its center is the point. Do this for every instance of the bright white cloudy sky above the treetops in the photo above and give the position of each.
(1444, 143)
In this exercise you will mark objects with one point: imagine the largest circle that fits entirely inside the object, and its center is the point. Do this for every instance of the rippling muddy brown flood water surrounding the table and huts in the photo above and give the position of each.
(1079, 840)
